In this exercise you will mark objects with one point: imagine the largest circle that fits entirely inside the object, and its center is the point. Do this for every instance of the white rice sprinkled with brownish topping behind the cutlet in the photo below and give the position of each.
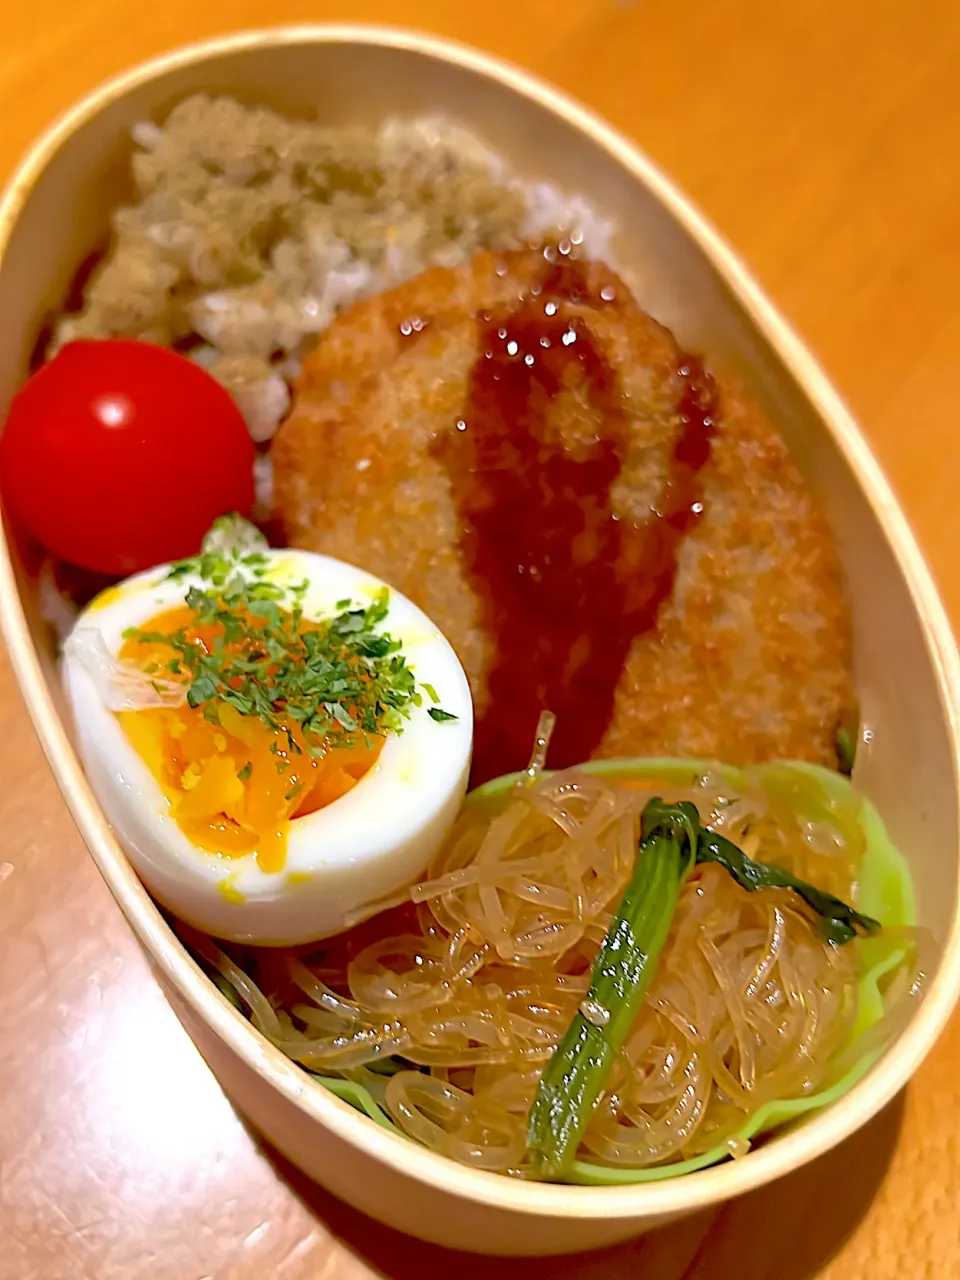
(243, 248)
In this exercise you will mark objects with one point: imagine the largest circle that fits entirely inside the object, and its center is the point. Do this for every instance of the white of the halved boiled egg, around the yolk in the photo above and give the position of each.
(342, 860)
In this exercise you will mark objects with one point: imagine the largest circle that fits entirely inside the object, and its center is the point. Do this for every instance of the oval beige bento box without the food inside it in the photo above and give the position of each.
(56, 211)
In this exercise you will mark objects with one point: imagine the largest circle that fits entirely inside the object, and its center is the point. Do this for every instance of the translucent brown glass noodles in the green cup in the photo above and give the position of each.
(449, 1007)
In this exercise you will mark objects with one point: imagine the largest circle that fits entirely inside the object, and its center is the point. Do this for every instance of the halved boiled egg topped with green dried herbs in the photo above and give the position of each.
(278, 740)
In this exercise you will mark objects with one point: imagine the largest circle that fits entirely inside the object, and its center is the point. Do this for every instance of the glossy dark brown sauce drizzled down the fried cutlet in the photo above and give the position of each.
(565, 584)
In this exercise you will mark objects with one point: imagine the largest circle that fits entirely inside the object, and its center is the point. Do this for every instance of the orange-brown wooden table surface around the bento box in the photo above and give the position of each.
(821, 139)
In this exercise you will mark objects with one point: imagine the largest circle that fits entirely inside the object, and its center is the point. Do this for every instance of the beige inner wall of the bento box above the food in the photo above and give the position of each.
(908, 766)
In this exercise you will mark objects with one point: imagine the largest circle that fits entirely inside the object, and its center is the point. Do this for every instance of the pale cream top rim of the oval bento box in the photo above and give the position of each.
(657, 1200)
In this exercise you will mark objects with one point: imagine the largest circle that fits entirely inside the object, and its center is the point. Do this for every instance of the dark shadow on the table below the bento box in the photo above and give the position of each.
(789, 1231)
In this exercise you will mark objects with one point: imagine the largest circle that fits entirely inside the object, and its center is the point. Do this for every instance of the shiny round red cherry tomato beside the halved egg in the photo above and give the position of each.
(120, 455)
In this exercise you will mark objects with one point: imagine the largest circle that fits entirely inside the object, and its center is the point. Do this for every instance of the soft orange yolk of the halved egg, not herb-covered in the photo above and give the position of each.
(236, 785)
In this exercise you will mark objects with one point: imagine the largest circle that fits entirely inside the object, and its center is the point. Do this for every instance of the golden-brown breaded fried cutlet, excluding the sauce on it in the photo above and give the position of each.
(748, 659)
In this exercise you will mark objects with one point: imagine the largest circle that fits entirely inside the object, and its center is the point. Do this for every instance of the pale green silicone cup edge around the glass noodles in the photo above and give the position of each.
(885, 892)
